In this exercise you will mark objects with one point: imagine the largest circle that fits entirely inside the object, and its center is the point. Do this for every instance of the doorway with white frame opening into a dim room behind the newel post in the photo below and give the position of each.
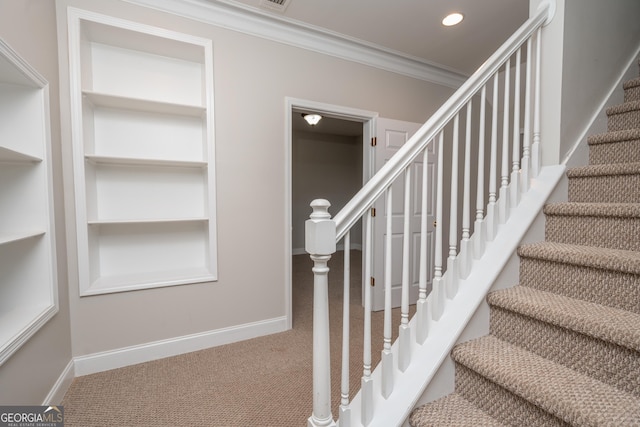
(329, 160)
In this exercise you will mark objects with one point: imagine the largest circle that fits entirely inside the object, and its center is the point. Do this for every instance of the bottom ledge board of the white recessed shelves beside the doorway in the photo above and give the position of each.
(132, 282)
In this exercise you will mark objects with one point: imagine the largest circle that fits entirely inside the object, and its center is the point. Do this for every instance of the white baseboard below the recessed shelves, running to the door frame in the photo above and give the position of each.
(104, 361)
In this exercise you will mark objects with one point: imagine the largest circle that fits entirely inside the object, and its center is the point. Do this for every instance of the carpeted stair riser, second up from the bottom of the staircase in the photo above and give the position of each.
(612, 364)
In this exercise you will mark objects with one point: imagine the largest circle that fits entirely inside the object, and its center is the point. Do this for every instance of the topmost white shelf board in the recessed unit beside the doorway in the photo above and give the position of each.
(144, 105)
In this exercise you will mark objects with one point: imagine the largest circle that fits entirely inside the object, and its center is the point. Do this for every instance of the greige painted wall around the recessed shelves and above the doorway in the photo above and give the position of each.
(252, 78)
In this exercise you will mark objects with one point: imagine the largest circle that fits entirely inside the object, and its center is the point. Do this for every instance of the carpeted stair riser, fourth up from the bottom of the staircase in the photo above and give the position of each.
(608, 232)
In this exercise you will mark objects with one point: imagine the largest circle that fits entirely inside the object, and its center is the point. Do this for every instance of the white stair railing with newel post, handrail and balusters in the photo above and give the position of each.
(466, 244)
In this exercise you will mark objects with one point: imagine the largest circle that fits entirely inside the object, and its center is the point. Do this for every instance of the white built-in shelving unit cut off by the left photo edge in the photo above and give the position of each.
(28, 281)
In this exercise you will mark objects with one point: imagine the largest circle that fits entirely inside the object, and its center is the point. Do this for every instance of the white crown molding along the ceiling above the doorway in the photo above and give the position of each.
(241, 18)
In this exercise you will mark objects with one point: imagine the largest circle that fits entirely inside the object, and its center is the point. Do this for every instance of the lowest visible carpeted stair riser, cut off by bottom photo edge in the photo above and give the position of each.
(499, 402)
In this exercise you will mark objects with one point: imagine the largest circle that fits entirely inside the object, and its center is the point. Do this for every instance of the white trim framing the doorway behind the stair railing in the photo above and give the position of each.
(368, 119)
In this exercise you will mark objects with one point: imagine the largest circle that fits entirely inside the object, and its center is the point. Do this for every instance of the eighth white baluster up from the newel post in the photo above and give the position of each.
(466, 253)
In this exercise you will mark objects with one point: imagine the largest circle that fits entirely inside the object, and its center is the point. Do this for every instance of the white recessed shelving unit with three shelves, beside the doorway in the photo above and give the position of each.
(143, 144)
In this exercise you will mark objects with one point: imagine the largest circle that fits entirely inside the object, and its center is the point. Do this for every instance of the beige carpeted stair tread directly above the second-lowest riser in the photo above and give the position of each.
(598, 321)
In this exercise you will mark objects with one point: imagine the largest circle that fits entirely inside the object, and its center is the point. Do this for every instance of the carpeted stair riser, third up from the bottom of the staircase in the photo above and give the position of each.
(606, 287)
